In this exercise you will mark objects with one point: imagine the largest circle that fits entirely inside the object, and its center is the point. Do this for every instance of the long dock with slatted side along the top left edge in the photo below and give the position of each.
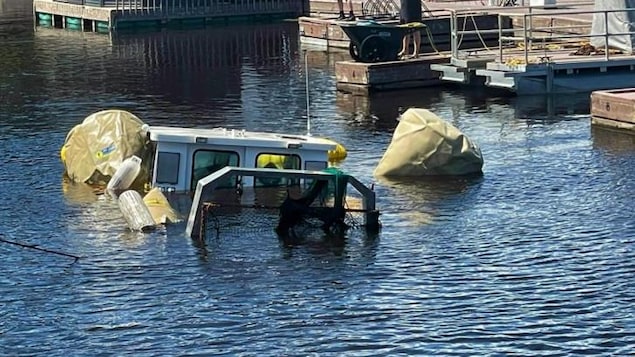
(109, 15)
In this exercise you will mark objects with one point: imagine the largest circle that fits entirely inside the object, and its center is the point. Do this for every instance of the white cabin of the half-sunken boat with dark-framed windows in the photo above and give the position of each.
(182, 156)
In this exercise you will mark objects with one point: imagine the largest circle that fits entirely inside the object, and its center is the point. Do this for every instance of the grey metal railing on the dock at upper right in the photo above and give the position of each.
(537, 32)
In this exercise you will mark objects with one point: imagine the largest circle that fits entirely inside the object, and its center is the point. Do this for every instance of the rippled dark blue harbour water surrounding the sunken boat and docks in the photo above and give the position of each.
(537, 257)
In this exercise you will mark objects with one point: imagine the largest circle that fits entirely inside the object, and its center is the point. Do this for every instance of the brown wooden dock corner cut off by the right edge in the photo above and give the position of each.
(614, 109)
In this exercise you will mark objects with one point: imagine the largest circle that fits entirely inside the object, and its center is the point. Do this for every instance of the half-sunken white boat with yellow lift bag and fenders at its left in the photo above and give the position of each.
(117, 149)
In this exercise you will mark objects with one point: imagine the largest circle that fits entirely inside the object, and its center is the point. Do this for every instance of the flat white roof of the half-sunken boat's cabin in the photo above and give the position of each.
(234, 137)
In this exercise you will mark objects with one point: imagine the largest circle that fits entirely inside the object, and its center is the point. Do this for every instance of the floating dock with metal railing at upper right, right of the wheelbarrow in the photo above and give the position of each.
(548, 51)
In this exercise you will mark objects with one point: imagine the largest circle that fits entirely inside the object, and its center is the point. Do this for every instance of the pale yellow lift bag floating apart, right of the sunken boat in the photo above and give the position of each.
(423, 144)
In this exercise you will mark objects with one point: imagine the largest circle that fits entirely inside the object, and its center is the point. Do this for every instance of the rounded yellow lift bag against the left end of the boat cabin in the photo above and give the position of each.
(94, 149)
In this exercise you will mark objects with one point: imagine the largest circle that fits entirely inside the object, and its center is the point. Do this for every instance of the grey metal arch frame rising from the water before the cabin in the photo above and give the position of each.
(209, 183)
